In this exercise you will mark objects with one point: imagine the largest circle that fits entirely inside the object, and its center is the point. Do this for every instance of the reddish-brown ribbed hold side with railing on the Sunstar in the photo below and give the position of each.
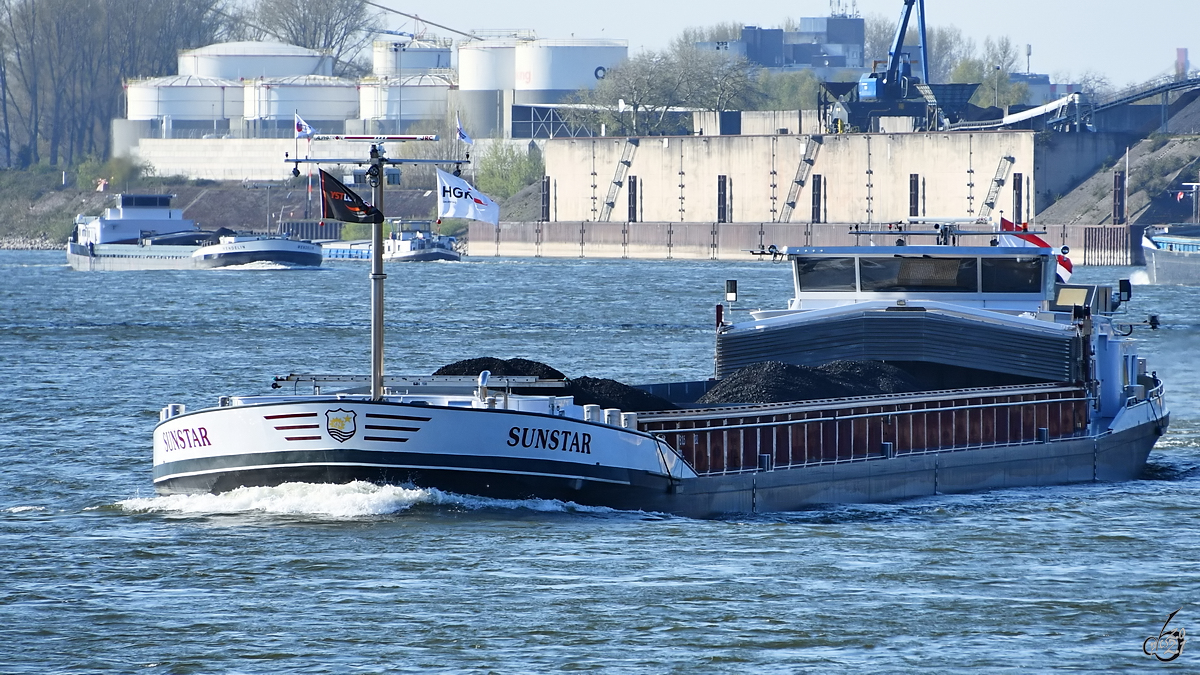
(736, 444)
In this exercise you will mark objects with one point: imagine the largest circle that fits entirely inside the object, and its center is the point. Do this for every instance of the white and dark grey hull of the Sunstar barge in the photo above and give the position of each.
(623, 469)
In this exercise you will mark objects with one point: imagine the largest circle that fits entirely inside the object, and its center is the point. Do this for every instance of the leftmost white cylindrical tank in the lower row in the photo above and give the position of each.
(184, 98)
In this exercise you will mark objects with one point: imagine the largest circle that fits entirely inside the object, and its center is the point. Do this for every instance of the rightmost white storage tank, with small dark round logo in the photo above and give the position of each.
(548, 71)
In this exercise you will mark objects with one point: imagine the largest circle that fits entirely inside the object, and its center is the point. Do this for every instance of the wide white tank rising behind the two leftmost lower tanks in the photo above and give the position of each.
(247, 61)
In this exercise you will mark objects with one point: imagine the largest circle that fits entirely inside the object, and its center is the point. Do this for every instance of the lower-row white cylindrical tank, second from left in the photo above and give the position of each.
(315, 98)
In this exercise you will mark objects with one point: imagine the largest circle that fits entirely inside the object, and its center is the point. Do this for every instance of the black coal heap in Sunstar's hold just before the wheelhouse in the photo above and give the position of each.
(777, 383)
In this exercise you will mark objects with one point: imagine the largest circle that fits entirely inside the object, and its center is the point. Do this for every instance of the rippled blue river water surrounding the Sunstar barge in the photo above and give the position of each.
(101, 576)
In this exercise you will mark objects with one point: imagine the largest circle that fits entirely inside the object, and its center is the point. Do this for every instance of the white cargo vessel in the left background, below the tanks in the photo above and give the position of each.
(143, 232)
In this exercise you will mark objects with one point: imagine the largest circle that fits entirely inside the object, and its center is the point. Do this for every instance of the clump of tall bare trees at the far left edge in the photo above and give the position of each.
(64, 63)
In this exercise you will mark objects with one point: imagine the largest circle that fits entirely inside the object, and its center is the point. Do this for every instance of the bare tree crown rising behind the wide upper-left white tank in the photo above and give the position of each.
(339, 27)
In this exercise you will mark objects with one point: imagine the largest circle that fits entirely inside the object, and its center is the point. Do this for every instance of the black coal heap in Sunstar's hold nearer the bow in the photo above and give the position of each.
(587, 391)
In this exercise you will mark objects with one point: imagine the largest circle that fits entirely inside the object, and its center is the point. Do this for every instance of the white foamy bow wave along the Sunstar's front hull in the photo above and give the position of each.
(345, 501)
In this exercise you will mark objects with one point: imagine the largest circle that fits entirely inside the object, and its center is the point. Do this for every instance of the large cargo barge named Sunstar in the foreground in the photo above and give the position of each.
(1027, 383)
